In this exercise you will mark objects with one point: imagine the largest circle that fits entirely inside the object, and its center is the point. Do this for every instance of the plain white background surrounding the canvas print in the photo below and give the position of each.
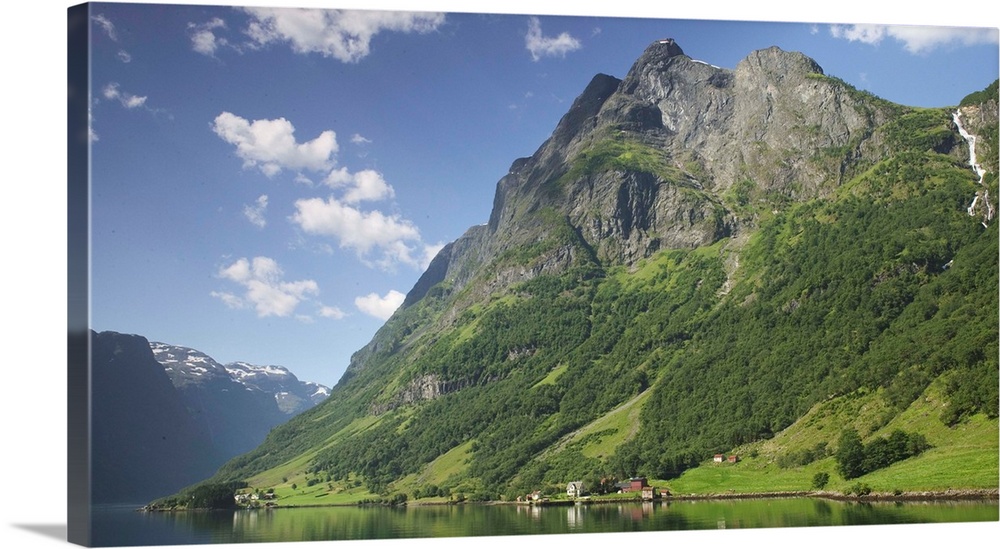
(33, 267)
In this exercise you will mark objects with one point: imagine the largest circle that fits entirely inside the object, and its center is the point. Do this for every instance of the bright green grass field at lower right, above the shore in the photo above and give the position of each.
(963, 457)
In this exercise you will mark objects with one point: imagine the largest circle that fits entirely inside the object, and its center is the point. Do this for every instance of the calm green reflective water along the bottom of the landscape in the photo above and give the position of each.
(123, 526)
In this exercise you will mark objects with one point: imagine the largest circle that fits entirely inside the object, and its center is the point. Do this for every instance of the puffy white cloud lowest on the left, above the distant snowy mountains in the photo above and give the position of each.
(265, 290)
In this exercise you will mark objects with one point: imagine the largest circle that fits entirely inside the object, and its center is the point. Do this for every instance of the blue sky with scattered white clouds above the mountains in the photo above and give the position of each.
(268, 184)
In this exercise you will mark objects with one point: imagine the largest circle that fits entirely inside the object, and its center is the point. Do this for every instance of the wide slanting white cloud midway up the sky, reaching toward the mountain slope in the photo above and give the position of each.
(358, 230)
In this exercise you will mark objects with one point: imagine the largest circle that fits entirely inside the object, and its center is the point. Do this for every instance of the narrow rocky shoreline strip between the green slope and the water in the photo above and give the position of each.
(973, 494)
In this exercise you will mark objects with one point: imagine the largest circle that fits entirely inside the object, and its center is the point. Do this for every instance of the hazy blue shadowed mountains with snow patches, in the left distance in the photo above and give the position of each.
(167, 416)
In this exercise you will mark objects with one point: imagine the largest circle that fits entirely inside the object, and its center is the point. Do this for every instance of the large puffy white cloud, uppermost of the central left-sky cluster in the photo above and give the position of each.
(270, 144)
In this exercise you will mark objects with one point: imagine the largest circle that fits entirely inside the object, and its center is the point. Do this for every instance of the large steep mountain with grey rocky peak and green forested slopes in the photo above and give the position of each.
(695, 260)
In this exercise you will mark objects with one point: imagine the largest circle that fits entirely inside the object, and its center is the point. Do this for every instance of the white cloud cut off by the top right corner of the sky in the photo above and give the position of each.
(916, 39)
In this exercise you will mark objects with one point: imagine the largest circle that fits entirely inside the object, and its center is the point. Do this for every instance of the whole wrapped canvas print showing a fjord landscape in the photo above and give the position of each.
(343, 275)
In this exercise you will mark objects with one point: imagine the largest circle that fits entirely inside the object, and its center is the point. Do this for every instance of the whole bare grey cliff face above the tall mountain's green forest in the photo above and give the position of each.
(676, 155)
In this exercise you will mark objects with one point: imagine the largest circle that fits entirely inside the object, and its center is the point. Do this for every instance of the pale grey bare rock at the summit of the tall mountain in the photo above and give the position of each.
(762, 121)
